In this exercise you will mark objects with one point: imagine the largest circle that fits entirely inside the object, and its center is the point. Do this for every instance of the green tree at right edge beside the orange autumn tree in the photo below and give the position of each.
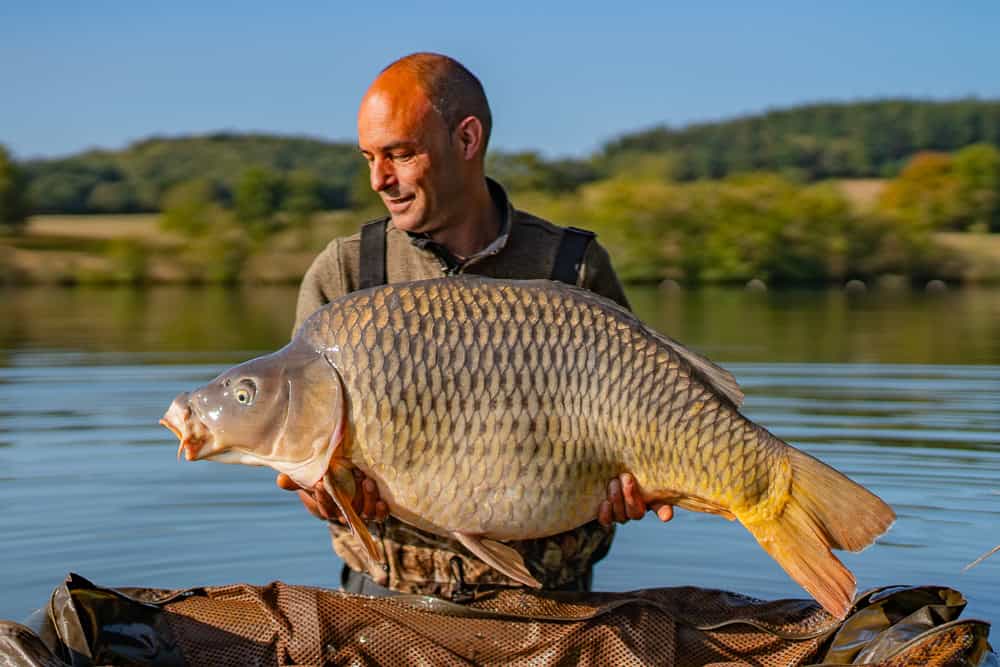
(977, 170)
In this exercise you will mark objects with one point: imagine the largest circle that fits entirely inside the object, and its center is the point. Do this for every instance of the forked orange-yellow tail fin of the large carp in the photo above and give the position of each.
(825, 510)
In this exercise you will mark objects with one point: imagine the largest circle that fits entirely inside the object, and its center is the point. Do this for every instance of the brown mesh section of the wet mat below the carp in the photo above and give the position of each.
(241, 625)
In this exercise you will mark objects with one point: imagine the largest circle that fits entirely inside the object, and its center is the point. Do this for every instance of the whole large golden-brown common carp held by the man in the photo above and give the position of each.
(490, 410)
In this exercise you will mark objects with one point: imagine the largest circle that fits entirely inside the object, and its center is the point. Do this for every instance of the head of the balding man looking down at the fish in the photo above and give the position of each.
(423, 126)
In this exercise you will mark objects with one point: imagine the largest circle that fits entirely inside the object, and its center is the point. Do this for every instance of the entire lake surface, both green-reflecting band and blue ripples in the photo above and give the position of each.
(900, 390)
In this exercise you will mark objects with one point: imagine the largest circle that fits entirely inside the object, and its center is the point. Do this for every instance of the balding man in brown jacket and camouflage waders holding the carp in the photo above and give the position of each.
(423, 127)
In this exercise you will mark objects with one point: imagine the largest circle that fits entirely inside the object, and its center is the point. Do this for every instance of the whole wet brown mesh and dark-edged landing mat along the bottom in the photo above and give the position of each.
(280, 624)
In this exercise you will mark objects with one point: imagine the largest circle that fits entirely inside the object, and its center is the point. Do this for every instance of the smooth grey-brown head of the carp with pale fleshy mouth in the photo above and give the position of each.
(284, 410)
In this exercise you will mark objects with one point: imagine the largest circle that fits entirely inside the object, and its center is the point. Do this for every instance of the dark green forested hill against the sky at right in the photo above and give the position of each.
(845, 140)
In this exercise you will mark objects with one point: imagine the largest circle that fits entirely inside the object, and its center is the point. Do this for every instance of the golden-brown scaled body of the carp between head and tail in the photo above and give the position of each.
(606, 348)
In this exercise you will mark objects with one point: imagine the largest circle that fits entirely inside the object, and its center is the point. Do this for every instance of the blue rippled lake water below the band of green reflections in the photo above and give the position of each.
(90, 482)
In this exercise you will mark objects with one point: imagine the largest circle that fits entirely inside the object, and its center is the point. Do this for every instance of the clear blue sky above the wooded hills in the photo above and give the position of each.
(562, 77)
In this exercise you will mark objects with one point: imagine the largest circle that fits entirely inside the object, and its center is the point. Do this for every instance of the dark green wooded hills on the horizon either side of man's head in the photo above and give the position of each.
(805, 143)
